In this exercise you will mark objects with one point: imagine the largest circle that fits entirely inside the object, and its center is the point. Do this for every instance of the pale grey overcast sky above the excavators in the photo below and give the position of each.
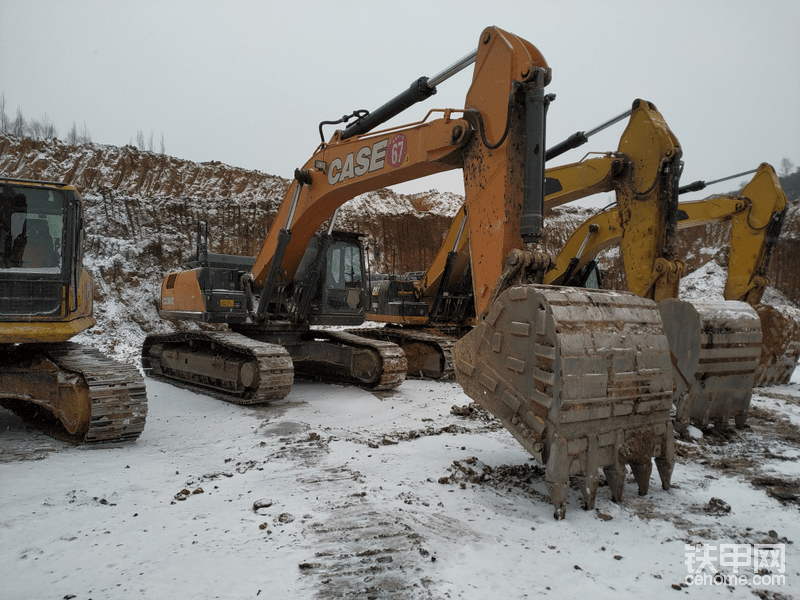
(247, 83)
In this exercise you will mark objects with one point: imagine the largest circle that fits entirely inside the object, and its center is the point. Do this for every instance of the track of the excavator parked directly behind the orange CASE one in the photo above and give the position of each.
(429, 353)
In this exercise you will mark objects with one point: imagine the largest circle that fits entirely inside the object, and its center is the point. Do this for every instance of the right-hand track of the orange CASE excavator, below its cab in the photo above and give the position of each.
(376, 365)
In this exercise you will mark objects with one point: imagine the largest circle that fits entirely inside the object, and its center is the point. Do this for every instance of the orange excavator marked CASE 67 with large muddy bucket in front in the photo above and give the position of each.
(596, 363)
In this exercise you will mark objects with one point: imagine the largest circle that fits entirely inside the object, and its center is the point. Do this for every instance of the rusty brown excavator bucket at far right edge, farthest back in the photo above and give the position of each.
(780, 344)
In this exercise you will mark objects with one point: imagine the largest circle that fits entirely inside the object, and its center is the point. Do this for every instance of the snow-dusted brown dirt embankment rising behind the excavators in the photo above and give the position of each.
(142, 210)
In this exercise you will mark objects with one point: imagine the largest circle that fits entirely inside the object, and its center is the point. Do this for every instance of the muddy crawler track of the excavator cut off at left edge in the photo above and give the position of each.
(114, 394)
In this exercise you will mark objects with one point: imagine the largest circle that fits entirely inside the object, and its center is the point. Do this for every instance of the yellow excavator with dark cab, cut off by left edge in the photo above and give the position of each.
(71, 391)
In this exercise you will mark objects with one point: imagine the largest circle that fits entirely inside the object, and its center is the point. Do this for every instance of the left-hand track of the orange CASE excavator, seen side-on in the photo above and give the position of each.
(222, 364)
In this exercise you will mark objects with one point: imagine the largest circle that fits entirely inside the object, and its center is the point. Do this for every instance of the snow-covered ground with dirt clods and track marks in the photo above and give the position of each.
(337, 492)
